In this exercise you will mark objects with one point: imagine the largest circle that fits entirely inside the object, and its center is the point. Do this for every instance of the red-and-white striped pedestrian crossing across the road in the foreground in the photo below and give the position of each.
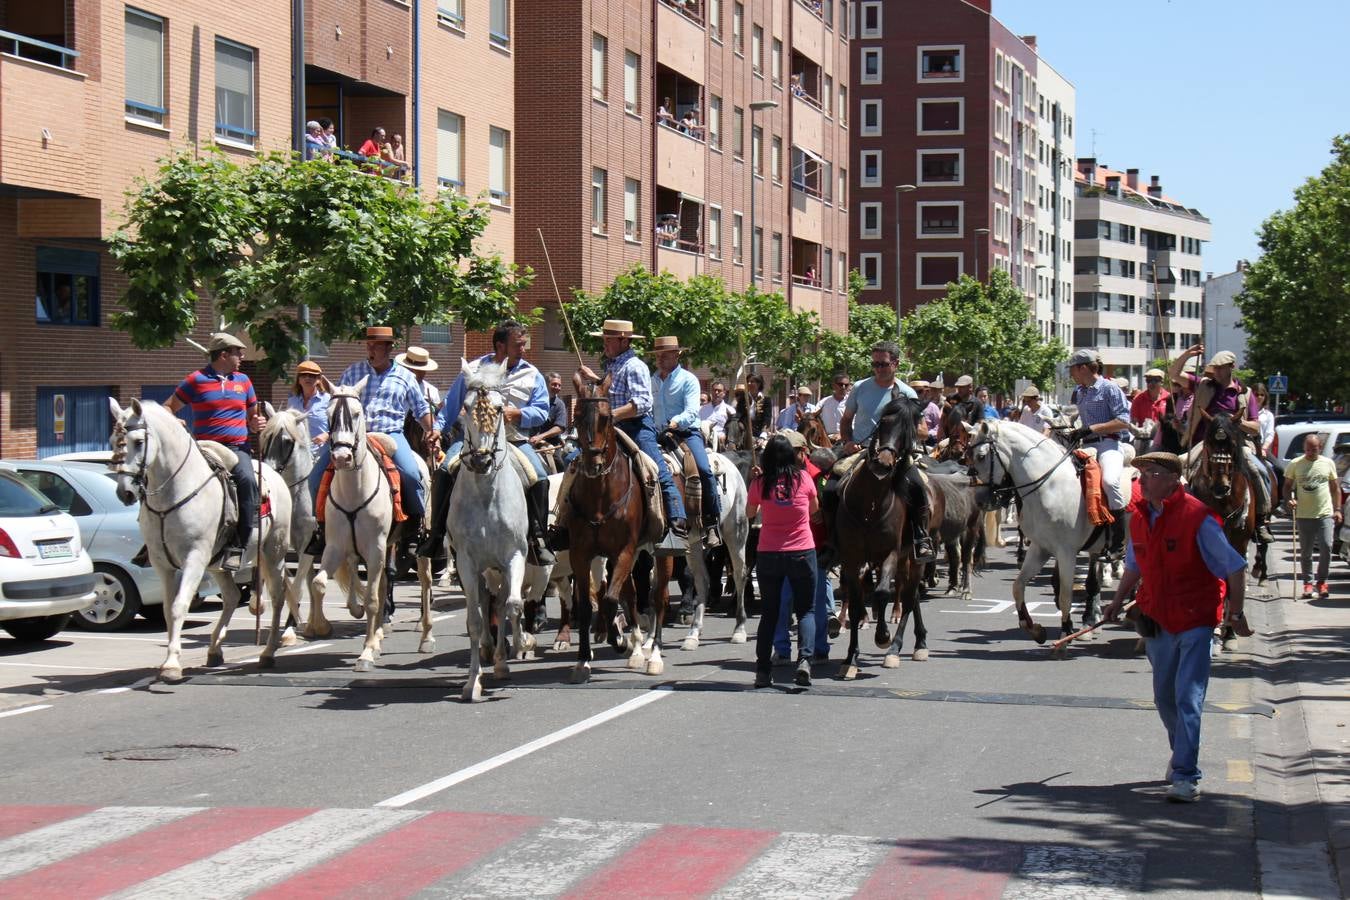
(72, 852)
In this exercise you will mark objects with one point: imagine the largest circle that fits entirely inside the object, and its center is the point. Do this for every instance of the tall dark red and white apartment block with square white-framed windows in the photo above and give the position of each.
(956, 148)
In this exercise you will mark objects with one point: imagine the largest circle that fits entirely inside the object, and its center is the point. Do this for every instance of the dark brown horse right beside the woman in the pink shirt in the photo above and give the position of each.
(871, 536)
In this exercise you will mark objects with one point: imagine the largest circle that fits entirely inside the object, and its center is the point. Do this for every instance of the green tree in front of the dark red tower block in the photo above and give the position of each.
(983, 330)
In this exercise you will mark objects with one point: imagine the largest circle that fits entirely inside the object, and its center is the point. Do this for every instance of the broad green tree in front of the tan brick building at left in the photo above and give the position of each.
(271, 238)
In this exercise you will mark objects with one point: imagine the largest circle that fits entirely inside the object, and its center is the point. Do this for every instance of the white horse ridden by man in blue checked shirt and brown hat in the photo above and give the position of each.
(357, 522)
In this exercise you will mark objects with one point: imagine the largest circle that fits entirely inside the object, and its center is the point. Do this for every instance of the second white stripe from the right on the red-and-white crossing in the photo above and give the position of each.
(809, 867)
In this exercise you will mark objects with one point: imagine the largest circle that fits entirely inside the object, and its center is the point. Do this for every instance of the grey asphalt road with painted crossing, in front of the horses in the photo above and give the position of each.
(990, 770)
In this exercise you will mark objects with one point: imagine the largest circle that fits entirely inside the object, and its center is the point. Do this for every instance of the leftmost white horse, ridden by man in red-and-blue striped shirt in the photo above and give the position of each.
(183, 522)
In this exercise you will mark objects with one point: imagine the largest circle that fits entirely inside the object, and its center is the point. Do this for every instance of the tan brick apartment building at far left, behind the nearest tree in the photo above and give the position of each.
(92, 94)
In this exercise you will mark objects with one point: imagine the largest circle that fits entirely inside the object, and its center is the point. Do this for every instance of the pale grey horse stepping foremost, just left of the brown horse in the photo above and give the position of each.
(488, 524)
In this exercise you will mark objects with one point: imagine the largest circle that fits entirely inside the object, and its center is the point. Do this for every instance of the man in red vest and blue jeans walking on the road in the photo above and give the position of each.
(1185, 567)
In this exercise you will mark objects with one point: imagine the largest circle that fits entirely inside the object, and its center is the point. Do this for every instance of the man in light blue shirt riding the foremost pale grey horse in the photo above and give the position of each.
(526, 396)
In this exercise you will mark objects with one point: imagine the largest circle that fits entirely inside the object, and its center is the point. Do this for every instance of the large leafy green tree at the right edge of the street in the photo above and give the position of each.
(1297, 299)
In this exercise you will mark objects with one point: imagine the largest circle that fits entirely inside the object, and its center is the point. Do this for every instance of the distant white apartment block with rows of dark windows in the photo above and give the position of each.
(1137, 283)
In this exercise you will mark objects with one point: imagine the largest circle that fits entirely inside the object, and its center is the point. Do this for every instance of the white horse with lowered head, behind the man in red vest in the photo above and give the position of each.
(1010, 458)
